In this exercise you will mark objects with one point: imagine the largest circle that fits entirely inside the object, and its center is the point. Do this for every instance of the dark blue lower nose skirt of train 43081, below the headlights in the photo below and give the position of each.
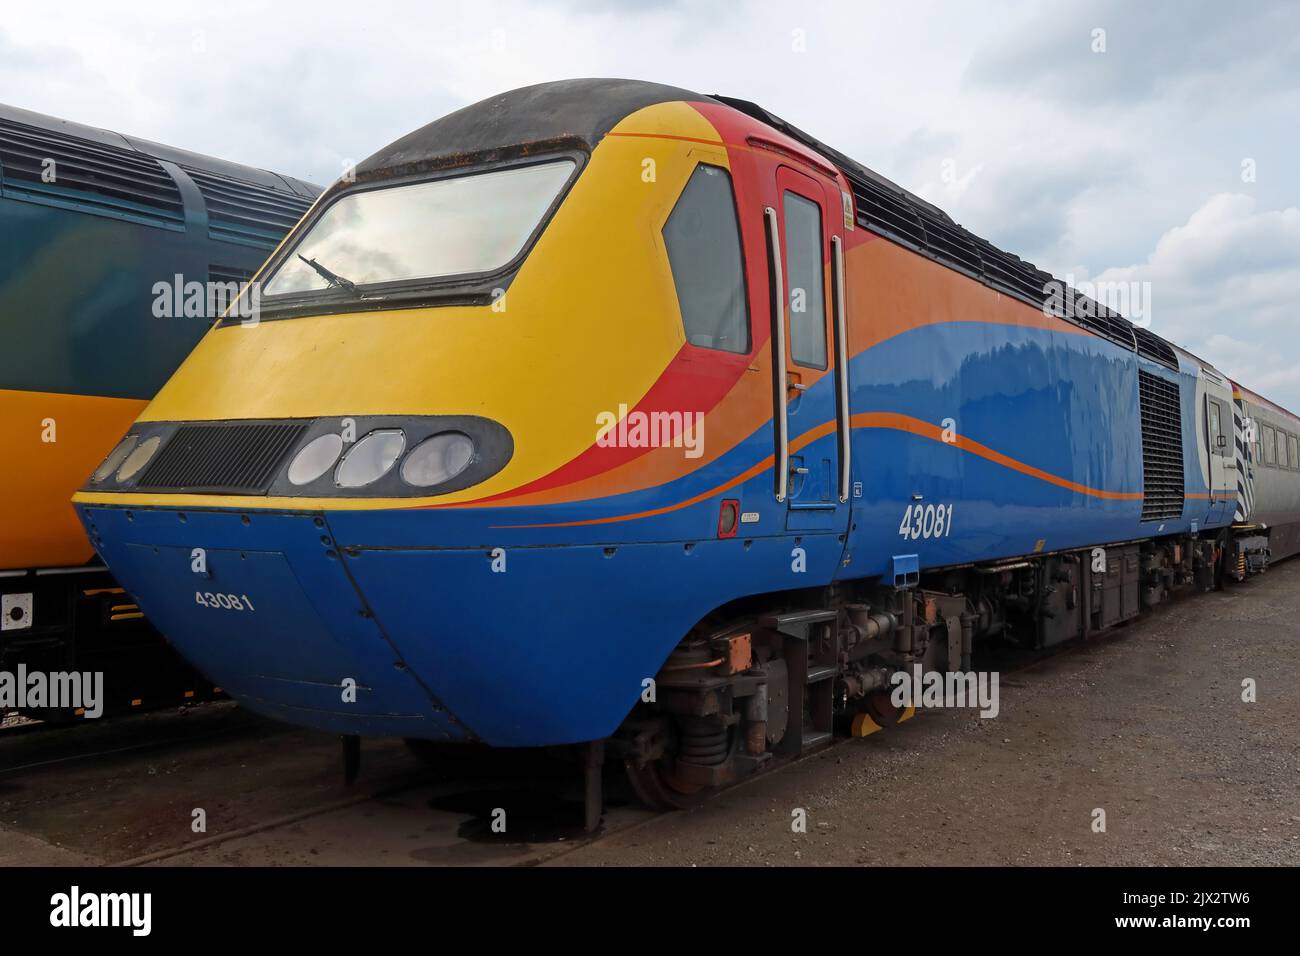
(447, 643)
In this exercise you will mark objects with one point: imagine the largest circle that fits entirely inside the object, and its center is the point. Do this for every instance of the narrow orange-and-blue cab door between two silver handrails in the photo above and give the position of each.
(811, 390)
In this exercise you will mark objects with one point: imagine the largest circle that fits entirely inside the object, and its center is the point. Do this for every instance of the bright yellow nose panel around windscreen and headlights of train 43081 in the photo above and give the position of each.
(588, 323)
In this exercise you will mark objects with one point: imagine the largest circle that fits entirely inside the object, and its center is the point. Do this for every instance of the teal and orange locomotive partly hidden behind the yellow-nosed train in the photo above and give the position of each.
(90, 223)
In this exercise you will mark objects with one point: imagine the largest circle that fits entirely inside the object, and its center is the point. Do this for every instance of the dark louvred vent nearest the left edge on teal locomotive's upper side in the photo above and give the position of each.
(66, 171)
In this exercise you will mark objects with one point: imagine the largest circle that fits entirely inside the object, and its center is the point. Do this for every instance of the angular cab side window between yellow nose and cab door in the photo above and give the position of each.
(703, 236)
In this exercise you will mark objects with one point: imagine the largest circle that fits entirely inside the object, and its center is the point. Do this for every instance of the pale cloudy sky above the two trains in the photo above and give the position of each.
(1107, 141)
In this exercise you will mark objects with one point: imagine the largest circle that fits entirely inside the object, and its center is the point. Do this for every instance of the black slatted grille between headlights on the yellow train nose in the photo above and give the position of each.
(223, 458)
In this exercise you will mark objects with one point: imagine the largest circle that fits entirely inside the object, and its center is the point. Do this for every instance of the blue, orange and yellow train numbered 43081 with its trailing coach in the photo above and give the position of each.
(608, 412)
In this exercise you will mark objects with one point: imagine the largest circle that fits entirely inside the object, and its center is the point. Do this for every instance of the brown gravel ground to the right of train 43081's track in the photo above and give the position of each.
(1146, 724)
